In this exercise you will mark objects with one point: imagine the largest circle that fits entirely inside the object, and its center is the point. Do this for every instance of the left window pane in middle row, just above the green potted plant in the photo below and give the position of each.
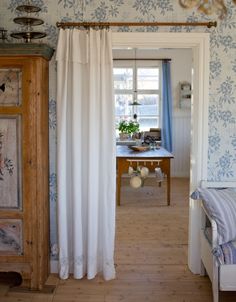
(122, 107)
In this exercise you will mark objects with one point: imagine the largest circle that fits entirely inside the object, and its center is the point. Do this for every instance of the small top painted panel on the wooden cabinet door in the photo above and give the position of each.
(10, 87)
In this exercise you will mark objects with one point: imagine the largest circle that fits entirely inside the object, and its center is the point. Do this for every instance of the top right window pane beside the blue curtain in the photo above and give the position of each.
(148, 78)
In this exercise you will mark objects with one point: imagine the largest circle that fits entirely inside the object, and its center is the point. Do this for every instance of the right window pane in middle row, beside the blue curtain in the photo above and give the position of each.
(149, 104)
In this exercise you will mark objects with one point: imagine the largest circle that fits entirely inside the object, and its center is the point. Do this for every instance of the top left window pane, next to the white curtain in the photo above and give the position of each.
(123, 78)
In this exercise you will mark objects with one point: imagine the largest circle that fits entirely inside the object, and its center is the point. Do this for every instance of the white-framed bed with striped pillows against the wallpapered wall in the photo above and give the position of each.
(218, 237)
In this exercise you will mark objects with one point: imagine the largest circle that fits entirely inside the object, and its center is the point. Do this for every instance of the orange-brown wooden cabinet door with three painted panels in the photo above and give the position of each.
(14, 205)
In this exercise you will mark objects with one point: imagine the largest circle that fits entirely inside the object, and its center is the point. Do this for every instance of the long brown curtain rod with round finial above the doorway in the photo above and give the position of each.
(108, 24)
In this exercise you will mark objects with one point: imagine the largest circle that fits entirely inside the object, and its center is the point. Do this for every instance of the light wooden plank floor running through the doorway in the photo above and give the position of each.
(151, 256)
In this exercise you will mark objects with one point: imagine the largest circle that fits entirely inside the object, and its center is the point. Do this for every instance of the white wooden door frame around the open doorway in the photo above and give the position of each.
(199, 43)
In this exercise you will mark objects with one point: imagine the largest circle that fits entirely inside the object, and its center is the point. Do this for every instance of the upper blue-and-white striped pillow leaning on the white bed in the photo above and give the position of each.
(221, 206)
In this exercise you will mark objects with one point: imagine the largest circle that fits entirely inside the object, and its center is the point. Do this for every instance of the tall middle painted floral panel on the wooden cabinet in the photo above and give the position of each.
(10, 181)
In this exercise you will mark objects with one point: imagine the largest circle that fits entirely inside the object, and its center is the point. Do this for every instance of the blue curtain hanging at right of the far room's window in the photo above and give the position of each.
(166, 107)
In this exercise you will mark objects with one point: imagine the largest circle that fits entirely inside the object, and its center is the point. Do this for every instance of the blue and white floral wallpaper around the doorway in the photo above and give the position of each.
(222, 110)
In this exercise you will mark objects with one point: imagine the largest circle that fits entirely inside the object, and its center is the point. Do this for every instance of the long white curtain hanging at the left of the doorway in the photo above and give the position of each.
(86, 153)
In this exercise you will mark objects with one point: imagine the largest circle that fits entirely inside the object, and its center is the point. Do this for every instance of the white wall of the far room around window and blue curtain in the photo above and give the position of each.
(181, 68)
